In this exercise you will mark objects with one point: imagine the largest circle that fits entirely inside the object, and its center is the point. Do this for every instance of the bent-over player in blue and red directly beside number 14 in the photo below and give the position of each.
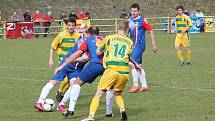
(93, 69)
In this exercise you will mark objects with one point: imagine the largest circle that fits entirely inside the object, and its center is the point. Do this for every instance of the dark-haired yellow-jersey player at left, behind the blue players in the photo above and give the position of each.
(61, 45)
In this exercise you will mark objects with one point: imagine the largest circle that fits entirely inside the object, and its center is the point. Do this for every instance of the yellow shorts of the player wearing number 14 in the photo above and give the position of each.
(111, 79)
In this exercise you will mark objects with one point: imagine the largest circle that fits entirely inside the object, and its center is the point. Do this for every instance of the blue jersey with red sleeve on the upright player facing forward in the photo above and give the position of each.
(137, 28)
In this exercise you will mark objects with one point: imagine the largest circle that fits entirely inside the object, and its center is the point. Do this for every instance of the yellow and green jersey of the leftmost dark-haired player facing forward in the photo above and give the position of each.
(63, 42)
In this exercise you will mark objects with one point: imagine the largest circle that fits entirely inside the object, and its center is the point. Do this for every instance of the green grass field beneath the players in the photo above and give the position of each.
(178, 93)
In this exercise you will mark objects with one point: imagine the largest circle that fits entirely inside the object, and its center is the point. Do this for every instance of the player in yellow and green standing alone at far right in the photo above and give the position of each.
(183, 24)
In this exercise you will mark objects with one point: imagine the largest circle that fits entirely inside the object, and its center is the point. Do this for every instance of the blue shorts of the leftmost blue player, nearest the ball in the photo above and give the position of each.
(63, 73)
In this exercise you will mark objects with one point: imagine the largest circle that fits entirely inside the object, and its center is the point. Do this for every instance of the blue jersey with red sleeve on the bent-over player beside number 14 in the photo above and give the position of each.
(90, 46)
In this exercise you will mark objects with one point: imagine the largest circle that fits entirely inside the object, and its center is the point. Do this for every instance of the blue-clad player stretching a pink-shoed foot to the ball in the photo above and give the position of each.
(71, 71)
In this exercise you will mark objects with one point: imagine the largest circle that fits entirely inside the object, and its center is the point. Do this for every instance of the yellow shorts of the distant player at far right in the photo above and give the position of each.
(182, 40)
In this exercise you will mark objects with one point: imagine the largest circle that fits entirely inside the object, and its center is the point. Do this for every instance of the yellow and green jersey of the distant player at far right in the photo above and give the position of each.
(182, 22)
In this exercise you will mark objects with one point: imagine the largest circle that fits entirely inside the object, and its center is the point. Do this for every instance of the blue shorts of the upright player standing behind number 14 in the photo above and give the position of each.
(137, 53)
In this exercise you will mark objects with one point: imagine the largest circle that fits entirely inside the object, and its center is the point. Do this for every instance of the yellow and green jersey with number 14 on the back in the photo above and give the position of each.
(117, 49)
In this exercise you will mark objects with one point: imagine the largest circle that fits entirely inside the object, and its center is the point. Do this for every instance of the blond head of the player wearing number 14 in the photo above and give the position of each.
(123, 27)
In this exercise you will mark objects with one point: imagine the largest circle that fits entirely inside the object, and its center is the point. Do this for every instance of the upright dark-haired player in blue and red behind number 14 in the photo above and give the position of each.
(138, 27)
